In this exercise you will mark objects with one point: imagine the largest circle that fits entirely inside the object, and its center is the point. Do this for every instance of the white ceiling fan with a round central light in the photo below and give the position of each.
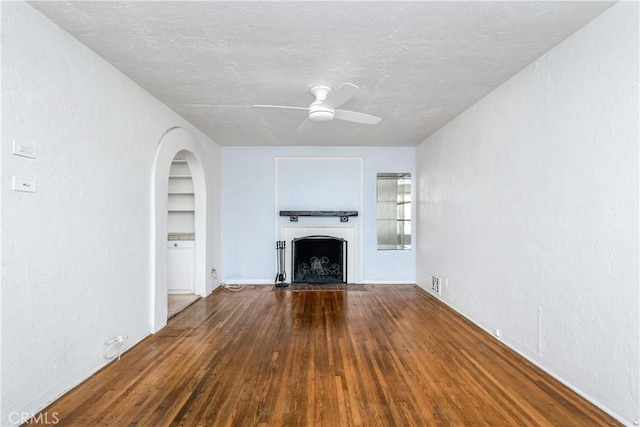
(324, 108)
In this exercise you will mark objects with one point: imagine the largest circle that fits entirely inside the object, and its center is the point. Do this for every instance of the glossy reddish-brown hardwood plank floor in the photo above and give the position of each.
(392, 356)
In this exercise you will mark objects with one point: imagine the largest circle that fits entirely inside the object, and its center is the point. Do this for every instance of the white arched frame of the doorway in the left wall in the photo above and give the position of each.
(174, 141)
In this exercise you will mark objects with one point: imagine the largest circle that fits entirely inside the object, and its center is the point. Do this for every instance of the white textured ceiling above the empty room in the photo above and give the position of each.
(418, 64)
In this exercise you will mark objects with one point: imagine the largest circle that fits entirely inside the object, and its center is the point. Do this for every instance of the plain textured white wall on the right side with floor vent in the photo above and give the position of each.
(528, 203)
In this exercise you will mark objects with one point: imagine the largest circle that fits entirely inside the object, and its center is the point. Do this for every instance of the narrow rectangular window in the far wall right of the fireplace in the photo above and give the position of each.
(394, 211)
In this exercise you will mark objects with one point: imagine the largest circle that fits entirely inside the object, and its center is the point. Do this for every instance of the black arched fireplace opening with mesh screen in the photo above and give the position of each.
(319, 259)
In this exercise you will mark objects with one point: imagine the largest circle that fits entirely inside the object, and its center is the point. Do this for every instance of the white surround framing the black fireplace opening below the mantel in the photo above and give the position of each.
(346, 233)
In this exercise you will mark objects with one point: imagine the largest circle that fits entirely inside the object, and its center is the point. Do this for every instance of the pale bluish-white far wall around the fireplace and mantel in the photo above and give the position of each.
(257, 184)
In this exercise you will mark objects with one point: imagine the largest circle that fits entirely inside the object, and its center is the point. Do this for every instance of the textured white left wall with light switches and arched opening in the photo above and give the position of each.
(77, 254)
